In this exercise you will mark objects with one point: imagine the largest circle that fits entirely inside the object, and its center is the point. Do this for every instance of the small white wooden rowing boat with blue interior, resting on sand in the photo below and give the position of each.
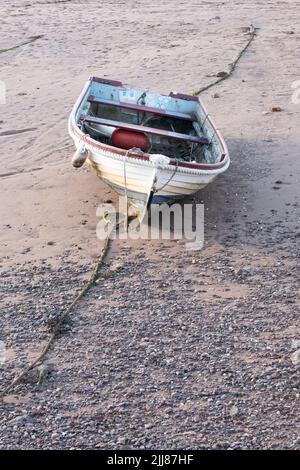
(154, 148)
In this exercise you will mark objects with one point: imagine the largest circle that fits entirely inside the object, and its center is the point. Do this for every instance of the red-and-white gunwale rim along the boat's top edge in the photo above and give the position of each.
(86, 138)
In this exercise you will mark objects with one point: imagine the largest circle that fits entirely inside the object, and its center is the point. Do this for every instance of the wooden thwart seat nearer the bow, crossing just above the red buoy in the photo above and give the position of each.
(147, 130)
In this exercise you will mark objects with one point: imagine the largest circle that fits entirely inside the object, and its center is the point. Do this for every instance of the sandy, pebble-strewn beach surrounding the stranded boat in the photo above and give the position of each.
(174, 349)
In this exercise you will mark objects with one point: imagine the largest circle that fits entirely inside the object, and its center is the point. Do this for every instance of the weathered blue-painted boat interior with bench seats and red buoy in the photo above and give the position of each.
(144, 121)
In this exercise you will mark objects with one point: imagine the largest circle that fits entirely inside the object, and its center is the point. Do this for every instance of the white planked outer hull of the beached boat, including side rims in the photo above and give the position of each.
(138, 176)
